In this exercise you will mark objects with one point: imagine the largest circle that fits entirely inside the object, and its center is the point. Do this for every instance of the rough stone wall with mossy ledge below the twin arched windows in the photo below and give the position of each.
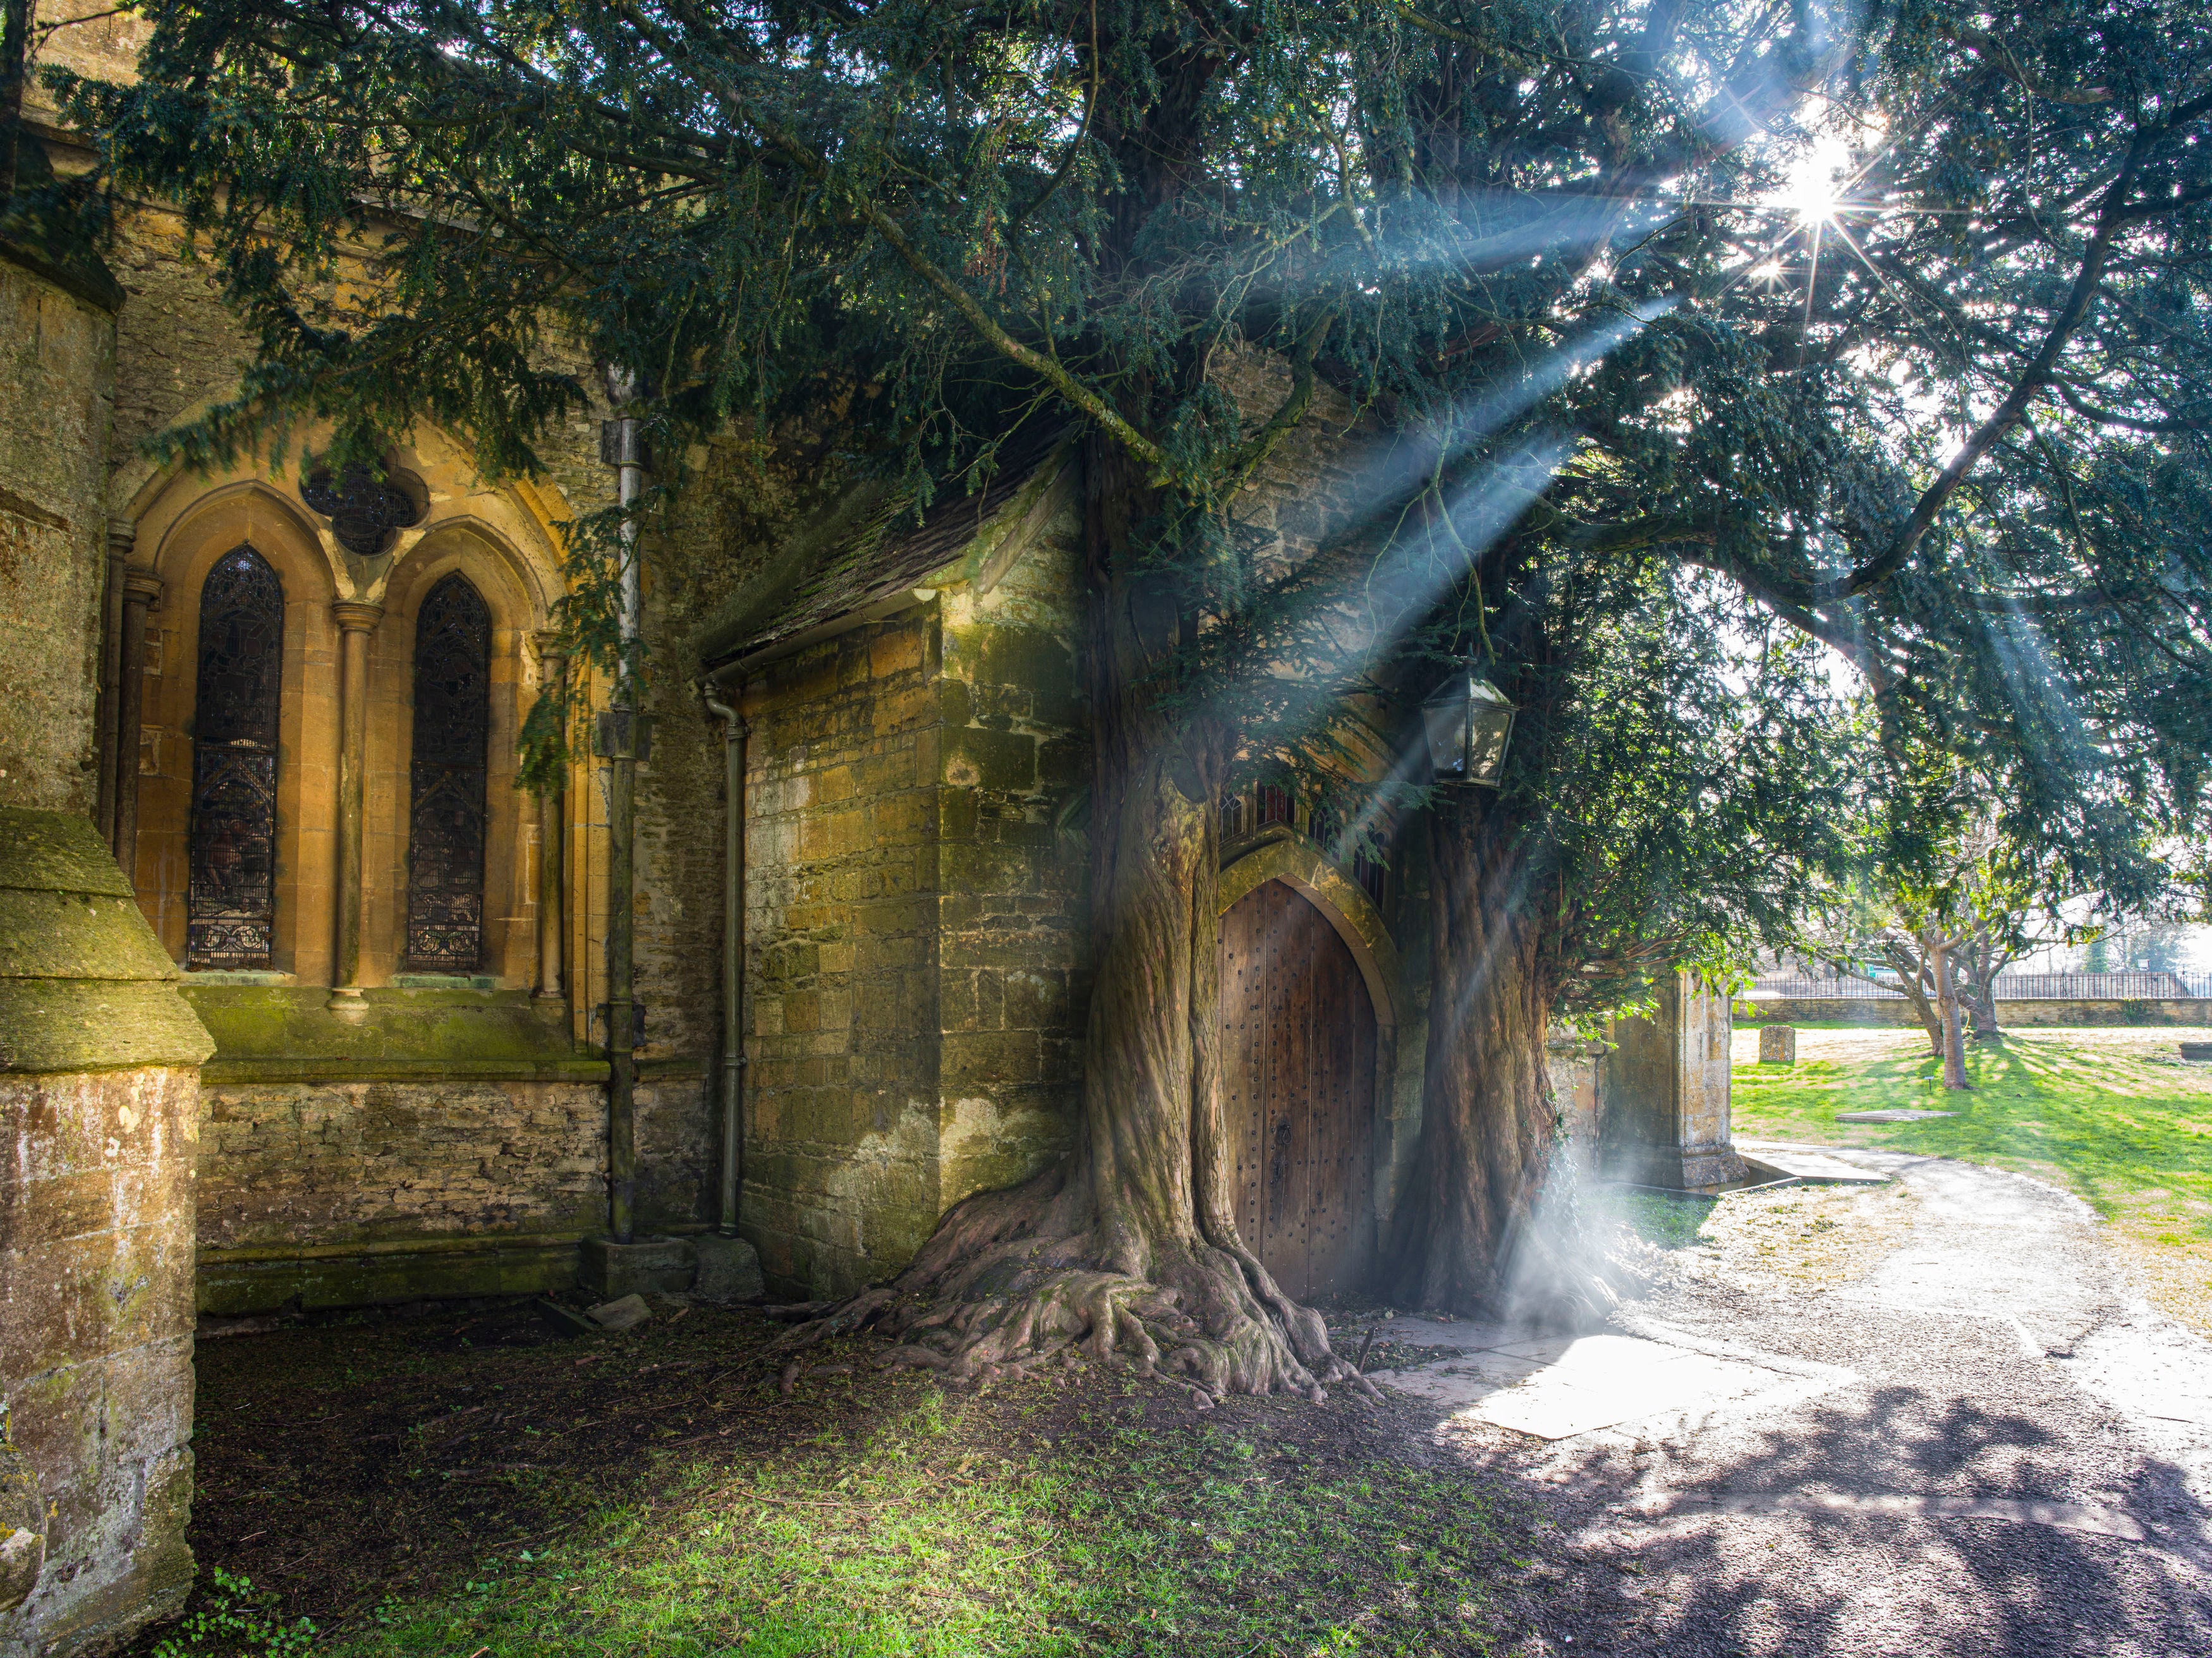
(450, 1144)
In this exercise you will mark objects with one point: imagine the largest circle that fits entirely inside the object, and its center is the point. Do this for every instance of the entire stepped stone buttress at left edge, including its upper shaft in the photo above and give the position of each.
(98, 1053)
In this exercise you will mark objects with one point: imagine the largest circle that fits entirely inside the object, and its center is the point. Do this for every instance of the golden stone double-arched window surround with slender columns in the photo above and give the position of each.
(342, 870)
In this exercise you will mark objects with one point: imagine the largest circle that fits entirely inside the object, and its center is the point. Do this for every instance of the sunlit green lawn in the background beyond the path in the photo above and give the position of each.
(2114, 1115)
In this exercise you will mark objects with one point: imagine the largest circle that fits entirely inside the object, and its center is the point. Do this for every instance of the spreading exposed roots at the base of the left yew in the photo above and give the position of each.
(1001, 1290)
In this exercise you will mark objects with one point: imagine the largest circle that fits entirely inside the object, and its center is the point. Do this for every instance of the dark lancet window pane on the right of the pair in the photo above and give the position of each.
(446, 828)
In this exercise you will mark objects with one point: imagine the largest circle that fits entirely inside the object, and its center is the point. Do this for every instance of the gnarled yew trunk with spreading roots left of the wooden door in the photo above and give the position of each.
(1131, 1248)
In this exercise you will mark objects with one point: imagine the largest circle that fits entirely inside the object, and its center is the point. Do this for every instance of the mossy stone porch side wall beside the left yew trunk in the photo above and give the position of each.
(915, 921)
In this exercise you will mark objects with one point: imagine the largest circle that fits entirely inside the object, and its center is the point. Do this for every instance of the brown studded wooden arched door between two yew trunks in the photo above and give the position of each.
(1300, 1093)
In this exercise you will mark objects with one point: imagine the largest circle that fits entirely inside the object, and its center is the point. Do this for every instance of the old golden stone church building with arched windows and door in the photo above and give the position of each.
(302, 996)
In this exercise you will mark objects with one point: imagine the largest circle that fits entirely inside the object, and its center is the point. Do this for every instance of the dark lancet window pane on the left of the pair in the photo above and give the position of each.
(231, 903)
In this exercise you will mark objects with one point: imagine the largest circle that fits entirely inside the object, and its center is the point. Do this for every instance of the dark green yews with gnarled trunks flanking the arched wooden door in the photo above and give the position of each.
(1715, 361)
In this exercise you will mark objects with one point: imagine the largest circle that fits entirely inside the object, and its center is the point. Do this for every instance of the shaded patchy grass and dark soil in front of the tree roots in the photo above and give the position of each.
(490, 1493)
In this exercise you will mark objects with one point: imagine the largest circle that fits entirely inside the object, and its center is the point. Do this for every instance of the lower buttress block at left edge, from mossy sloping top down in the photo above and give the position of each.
(98, 1126)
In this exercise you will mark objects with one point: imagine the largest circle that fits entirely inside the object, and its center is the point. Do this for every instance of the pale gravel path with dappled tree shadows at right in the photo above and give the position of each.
(2021, 1460)
